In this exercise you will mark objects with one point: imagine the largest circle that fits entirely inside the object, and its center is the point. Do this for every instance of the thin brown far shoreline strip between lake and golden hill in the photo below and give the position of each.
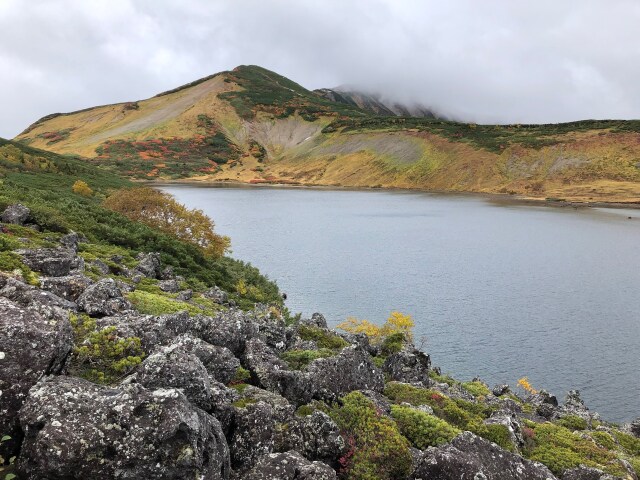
(492, 197)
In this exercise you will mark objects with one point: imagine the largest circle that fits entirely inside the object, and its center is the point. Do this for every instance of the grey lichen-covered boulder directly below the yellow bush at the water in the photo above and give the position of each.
(352, 369)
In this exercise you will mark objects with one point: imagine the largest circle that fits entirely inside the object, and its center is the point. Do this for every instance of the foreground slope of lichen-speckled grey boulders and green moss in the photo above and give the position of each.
(93, 388)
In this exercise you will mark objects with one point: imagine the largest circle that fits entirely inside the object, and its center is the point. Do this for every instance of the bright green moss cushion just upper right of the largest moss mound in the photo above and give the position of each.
(422, 430)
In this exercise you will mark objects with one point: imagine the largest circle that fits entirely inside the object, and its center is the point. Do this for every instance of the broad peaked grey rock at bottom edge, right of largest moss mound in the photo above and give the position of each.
(469, 457)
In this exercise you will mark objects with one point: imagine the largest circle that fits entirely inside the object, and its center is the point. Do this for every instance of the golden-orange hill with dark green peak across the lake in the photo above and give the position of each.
(253, 125)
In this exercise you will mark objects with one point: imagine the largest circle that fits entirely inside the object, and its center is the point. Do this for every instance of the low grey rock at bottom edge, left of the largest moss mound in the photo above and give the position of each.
(288, 466)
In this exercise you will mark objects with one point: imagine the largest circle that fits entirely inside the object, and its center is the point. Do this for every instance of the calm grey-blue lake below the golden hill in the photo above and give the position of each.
(497, 290)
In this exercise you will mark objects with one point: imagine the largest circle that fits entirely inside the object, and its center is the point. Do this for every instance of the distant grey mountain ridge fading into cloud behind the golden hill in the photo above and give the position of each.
(375, 104)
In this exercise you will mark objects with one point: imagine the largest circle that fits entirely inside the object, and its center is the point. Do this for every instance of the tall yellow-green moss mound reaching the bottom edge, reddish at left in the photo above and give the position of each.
(377, 449)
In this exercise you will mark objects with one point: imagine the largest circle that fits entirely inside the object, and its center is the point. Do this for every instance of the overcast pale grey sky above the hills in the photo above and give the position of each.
(485, 61)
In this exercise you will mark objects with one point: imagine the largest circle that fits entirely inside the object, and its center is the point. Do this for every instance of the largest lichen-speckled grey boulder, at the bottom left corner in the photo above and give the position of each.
(77, 430)
